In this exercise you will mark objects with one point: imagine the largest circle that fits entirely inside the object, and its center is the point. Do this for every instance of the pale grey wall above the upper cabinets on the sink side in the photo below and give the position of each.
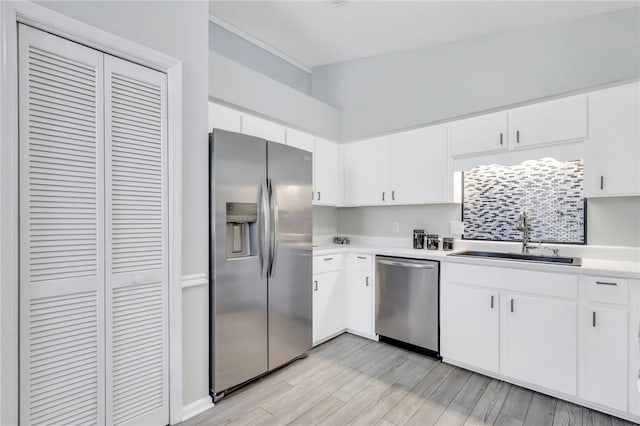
(396, 91)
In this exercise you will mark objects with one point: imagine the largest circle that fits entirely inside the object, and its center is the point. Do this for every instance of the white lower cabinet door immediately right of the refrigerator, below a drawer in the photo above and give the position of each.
(328, 306)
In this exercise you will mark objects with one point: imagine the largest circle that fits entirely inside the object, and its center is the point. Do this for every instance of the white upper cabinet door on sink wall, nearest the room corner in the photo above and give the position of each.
(367, 173)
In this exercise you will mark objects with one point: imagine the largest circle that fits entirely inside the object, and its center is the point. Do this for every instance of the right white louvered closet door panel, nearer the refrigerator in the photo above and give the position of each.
(137, 272)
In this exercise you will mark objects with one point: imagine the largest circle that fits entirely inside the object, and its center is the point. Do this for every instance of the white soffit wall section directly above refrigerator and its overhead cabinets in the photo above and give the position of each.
(244, 88)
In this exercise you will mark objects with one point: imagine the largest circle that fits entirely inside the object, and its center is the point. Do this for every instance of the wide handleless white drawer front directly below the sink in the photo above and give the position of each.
(519, 280)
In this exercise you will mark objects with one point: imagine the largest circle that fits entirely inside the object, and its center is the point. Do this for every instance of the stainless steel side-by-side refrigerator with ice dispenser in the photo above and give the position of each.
(260, 257)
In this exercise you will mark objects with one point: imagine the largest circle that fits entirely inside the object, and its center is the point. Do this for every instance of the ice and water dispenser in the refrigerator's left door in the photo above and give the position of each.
(242, 233)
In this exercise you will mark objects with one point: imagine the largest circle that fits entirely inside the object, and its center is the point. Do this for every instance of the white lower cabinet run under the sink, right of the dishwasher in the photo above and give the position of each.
(573, 336)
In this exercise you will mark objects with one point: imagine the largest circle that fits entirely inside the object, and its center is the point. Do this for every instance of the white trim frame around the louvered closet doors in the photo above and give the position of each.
(12, 13)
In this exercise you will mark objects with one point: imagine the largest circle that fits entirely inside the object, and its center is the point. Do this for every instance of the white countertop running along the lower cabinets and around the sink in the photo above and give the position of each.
(590, 266)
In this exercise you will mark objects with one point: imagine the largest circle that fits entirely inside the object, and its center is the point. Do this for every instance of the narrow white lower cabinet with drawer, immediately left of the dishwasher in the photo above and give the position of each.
(360, 290)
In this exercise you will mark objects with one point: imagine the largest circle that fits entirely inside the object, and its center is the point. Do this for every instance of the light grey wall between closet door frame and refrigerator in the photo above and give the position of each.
(178, 29)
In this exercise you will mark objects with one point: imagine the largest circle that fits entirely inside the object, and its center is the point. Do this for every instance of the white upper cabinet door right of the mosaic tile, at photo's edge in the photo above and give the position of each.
(612, 153)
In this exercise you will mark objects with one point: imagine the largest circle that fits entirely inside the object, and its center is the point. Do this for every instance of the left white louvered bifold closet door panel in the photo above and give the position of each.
(62, 341)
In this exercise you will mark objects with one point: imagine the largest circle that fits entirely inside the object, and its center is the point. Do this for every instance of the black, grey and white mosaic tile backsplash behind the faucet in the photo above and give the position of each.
(549, 191)
